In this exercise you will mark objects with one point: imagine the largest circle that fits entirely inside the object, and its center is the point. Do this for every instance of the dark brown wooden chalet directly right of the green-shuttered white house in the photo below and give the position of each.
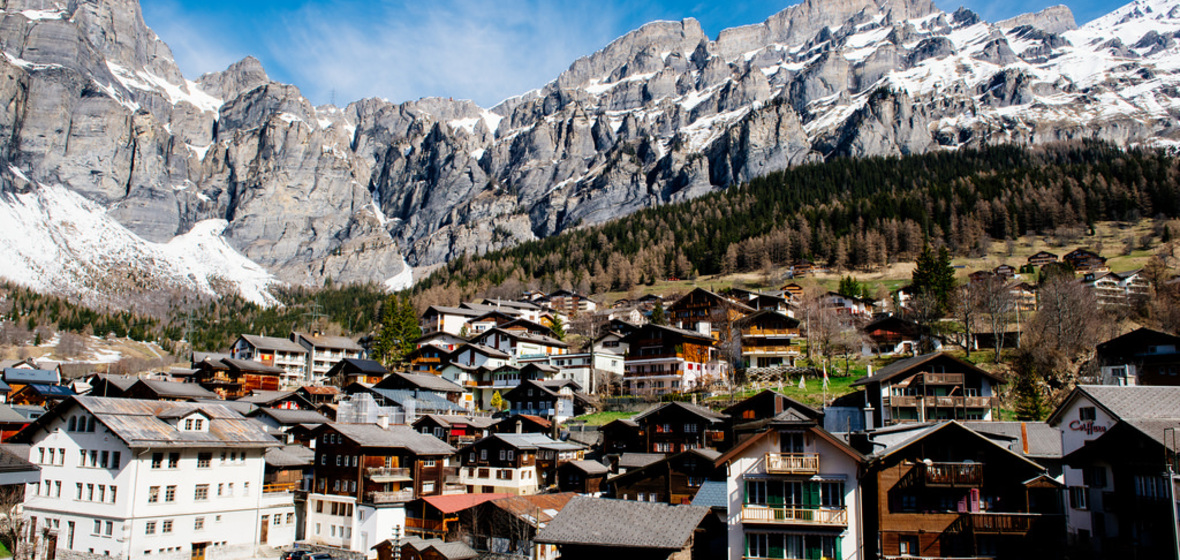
(949, 492)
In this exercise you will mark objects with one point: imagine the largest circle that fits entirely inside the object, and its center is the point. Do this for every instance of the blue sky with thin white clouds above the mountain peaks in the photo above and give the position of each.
(481, 50)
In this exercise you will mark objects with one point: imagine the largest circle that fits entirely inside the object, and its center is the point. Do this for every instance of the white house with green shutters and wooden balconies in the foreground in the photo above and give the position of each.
(792, 492)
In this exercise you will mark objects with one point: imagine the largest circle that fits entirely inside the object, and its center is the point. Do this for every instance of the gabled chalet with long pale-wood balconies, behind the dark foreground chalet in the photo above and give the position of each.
(930, 387)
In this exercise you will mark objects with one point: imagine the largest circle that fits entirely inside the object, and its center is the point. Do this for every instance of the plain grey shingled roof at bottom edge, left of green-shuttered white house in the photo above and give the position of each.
(595, 522)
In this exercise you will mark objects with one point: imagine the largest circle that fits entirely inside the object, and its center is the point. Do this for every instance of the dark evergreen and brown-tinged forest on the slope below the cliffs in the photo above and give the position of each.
(849, 214)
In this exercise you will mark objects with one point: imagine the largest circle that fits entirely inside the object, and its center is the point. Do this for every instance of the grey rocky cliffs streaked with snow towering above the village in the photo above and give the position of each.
(94, 102)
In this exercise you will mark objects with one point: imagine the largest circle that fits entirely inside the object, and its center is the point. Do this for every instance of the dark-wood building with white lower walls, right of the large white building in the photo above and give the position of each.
(364, 477)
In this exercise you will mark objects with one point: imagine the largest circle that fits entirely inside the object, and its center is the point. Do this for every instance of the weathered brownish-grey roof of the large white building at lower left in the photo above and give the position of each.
(142, 424)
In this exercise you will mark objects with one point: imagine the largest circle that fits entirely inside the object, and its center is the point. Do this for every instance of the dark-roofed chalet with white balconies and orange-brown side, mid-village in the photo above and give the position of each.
(668, 360)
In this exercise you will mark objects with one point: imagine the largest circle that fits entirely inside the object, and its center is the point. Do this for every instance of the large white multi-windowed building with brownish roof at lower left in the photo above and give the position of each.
(136, 479)
